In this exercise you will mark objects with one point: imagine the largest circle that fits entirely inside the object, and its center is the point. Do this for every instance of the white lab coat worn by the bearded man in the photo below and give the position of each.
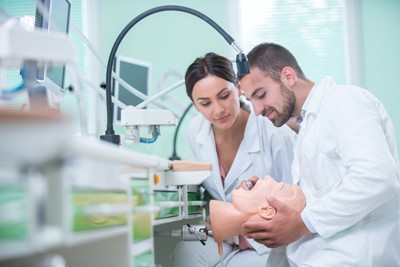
(346, 162)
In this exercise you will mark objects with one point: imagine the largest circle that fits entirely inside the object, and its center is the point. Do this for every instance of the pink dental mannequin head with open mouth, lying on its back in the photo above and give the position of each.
(249, 205)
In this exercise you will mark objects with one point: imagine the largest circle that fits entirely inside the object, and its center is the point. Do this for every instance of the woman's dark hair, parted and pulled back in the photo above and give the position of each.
(213, 64)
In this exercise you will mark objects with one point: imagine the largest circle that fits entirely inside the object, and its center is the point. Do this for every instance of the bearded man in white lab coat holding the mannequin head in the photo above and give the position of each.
(345, 161)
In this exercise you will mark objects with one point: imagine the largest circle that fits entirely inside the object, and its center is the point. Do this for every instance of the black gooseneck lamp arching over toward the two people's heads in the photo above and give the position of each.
(241, 60)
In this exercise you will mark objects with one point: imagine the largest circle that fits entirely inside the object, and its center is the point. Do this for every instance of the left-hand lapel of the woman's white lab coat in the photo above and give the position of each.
(206, 144)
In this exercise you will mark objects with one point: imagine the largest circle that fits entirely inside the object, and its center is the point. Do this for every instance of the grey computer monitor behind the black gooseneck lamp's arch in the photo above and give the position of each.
(137, 74)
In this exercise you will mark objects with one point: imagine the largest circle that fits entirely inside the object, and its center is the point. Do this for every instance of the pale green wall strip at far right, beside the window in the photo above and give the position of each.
(380, 30)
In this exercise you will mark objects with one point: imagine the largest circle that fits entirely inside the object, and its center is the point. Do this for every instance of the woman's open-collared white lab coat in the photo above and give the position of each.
(278, 153)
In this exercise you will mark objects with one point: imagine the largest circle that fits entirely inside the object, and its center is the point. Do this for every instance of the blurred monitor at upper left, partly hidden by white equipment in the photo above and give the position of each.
(56, 19)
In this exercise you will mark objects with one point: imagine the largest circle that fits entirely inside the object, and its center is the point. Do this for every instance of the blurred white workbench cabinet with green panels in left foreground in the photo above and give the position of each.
(91, 204)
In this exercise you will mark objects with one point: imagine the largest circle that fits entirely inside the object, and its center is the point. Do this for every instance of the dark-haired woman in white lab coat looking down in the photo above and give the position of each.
(228, 135)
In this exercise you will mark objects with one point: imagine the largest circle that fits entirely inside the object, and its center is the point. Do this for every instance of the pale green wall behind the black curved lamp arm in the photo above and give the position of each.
(169, 40)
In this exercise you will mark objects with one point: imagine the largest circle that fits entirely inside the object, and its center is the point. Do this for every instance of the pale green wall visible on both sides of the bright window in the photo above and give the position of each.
(171, 40)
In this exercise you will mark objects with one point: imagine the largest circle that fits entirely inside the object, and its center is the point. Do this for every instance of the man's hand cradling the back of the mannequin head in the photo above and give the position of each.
(285, 228)
